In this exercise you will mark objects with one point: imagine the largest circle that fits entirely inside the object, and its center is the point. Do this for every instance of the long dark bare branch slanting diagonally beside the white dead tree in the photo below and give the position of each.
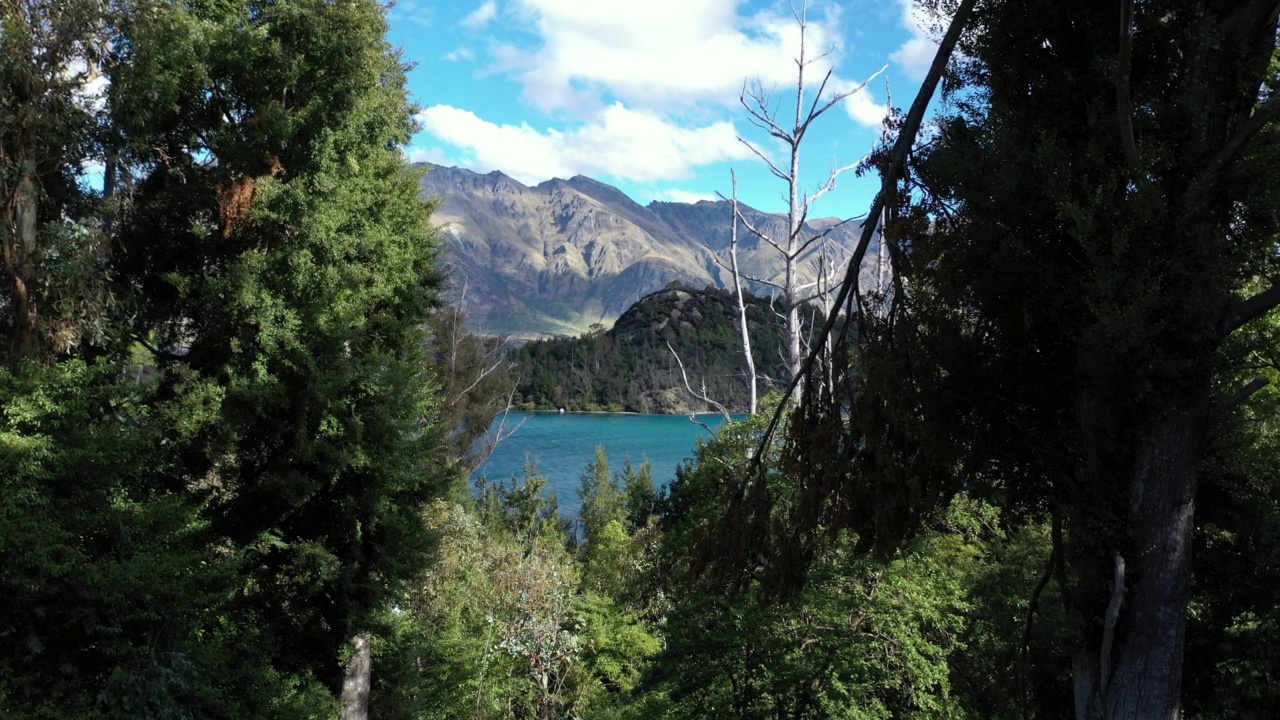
(898, 162)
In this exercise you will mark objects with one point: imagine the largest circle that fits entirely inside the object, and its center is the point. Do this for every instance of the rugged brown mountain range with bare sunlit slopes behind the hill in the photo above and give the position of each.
(557, 258)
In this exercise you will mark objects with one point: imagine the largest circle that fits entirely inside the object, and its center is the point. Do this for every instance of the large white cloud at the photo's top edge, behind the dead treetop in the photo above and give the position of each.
(659, 53)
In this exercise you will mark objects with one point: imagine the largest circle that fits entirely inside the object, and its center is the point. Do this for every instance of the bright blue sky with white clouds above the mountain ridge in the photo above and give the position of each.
(644, 94)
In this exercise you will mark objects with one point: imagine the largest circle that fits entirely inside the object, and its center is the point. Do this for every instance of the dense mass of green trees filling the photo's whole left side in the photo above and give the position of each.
(217, 427)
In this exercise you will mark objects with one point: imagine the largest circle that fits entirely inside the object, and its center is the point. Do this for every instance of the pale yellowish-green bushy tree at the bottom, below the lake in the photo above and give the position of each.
(491, 630)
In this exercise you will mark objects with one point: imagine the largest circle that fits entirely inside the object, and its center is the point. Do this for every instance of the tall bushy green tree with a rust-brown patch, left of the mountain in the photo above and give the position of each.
(282, 254)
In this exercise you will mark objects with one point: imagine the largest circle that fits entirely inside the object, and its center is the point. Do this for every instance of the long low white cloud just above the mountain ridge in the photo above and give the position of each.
(620, 143)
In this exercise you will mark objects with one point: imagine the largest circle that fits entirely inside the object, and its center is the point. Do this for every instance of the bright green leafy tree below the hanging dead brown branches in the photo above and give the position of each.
(867, 637)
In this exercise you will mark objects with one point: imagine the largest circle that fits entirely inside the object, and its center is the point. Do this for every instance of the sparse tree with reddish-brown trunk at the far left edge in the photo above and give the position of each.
(52, 250)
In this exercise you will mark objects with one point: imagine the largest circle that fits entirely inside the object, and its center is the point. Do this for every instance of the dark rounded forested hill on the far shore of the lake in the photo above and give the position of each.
(633, 367)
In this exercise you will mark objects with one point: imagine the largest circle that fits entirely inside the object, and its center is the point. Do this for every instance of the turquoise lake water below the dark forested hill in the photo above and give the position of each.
(564, 444)
